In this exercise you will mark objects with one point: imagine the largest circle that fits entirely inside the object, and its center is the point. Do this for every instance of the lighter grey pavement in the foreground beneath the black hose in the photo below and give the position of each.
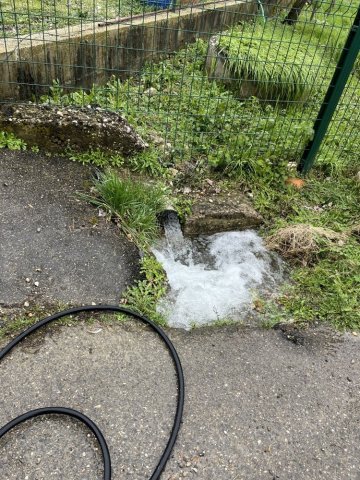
(257, 405)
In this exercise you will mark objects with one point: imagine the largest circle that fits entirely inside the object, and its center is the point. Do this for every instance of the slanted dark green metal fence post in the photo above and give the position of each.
(332, 97)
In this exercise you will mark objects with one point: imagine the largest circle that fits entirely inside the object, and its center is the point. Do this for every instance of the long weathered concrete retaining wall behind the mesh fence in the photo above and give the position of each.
(79, 57)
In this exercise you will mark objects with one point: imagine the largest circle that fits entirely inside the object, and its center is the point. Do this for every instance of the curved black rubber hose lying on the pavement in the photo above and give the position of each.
(89, 423)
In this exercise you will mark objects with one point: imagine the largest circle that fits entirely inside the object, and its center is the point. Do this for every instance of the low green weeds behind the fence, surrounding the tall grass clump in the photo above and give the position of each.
(199, 121)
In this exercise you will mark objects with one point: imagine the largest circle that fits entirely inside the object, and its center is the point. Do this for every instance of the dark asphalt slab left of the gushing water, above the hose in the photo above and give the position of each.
(54, 248)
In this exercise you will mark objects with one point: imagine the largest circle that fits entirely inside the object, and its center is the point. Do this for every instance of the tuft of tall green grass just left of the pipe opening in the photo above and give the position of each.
(134, 205)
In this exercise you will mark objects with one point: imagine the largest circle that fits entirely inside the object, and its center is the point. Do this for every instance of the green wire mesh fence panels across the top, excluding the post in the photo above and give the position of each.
(234, 85)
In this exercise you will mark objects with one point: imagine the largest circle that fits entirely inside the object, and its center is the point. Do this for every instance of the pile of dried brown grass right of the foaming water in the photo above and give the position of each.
(302, 243)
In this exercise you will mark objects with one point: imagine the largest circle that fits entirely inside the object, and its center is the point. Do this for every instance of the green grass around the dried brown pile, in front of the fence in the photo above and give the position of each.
(327, 289)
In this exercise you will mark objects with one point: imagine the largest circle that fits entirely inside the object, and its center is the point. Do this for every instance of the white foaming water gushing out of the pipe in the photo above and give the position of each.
(214, 277)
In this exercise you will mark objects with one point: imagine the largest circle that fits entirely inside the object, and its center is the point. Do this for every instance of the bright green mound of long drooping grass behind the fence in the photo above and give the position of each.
(269, 55)
